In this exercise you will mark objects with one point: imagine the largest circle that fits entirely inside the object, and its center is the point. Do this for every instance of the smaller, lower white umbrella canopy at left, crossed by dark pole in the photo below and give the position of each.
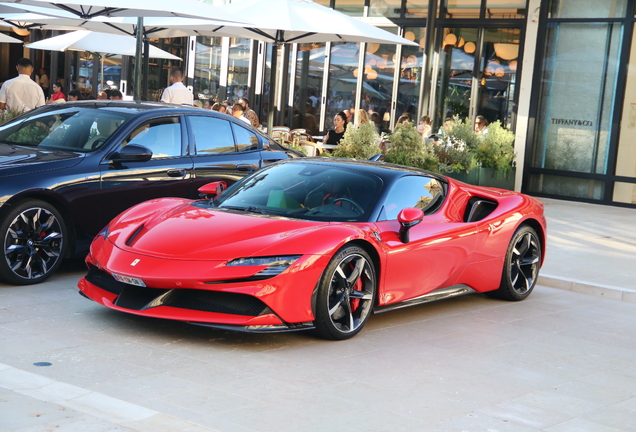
(84, 40)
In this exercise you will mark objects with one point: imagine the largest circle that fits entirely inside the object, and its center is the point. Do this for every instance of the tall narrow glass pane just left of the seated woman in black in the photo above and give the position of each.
(310, 63)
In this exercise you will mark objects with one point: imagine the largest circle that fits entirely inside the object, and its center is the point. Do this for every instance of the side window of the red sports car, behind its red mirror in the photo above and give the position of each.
(413, 191)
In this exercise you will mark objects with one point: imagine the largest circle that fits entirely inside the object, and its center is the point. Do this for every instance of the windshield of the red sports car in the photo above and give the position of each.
(306, 191)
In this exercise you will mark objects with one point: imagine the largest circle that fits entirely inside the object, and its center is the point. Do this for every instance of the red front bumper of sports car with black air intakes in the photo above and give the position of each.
(281, 303)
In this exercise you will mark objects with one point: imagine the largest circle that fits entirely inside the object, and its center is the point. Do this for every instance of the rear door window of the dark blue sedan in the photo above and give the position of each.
(212, 135)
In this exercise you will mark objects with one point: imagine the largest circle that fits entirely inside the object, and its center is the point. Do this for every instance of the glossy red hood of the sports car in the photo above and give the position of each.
(189, 232)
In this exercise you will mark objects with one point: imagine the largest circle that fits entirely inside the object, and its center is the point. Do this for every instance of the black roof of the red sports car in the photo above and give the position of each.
(381, 169)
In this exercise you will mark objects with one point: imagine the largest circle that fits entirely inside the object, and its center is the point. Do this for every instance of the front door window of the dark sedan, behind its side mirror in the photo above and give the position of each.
(162, 136)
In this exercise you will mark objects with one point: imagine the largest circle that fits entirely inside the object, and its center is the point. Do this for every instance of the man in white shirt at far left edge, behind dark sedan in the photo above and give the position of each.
(21, 93)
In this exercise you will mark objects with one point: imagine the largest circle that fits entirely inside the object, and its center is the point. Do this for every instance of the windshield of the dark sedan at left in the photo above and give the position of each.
(75, 129)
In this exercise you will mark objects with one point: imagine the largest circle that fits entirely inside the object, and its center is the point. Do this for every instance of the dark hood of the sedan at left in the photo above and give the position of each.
(14, 159)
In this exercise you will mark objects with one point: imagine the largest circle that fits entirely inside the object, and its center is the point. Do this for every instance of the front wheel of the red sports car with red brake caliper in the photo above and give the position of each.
(346, 294)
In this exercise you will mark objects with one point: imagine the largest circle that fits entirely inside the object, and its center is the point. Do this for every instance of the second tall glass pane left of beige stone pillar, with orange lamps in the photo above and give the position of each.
(457, 63)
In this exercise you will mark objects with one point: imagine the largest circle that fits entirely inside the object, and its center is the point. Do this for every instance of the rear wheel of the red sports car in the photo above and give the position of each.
(521, 266)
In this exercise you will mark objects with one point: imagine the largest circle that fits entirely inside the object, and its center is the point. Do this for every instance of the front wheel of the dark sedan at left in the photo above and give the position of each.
(34, 241)
